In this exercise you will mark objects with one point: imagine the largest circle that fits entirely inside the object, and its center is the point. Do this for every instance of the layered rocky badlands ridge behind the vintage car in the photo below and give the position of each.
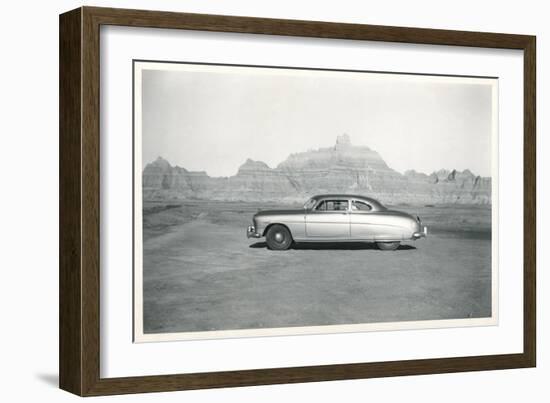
(343, 168)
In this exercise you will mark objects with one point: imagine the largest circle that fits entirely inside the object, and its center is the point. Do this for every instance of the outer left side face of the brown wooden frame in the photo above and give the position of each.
(70, 271)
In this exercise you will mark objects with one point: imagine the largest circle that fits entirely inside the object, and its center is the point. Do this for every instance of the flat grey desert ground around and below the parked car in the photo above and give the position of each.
(201, 273)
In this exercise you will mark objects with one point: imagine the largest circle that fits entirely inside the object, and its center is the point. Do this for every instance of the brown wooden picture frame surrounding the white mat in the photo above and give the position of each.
(79, 280)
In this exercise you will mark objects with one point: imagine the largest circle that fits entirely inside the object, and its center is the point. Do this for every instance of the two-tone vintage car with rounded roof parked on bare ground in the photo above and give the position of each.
(336, 218)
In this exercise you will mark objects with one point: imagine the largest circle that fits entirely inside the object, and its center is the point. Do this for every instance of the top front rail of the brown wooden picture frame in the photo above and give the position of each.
(317, 29)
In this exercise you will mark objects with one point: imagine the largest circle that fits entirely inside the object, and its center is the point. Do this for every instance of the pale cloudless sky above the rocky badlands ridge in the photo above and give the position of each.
(212, 118)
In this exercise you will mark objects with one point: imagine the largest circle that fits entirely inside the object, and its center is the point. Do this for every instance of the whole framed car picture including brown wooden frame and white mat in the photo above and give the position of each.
(249, 201)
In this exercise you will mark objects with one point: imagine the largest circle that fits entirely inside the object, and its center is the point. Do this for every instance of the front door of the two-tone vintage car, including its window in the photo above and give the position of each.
(329, 219)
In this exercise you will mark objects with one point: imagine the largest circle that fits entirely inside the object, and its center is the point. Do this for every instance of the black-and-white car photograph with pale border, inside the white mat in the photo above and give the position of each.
(272, 200)
